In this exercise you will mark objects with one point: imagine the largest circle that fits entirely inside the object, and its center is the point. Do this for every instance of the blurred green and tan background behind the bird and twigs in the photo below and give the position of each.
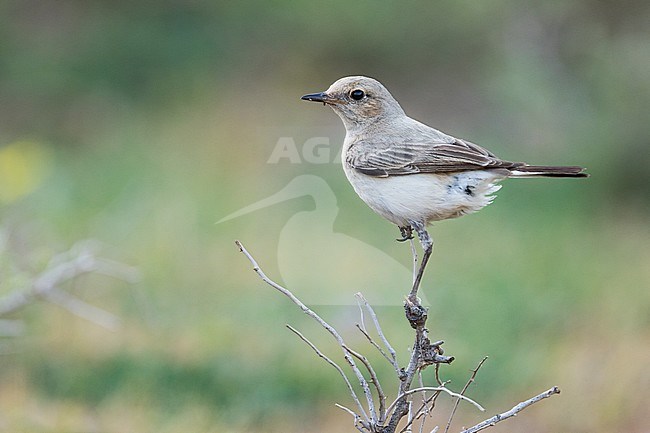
(141, 124)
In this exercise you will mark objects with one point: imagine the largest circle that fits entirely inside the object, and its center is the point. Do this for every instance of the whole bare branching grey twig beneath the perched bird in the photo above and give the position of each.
(375, 416)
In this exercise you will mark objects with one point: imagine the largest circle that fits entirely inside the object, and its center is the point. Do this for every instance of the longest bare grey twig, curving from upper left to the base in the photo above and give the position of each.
(323, 323)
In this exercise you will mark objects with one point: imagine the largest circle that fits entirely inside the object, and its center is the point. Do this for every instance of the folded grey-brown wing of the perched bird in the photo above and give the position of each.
(405, 158)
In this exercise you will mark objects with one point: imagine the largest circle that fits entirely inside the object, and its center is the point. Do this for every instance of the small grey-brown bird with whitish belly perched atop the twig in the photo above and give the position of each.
(410, 173)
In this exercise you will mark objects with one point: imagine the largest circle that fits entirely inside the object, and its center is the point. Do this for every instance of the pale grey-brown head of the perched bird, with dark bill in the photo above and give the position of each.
(358, 101)
